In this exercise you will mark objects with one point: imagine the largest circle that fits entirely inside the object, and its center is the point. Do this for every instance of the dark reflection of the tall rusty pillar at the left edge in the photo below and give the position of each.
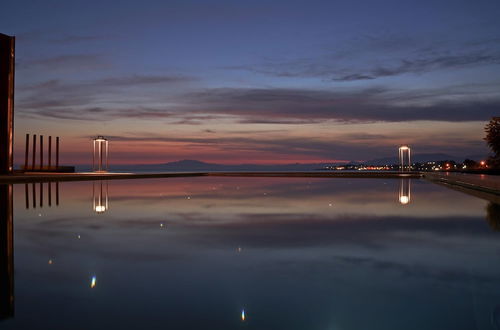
(6, 252)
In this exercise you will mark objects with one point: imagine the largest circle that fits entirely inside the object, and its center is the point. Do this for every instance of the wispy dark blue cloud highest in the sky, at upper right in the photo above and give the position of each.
(393, 55)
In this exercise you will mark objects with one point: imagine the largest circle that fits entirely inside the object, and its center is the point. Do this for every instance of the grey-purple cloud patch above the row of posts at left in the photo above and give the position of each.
(80, 100)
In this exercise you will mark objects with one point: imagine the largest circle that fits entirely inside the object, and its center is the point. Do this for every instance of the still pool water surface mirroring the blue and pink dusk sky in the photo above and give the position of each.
(285, 253)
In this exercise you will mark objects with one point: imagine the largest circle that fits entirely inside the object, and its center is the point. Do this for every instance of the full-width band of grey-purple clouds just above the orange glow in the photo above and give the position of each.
(246, 105)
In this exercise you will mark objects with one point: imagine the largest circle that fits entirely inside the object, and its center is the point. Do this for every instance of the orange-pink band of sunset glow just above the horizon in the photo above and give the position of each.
(234, 143)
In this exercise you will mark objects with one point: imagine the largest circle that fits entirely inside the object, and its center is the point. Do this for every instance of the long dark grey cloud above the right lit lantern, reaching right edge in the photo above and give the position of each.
(299, 105)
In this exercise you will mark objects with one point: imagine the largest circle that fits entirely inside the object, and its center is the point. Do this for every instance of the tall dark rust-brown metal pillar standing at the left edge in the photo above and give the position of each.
(7, 64)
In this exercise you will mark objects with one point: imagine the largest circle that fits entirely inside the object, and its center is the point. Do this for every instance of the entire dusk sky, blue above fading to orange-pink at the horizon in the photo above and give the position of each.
(255, 81)
